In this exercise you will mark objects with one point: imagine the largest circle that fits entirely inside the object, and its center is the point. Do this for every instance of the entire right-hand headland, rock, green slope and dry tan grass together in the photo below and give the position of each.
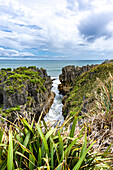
(90, 100)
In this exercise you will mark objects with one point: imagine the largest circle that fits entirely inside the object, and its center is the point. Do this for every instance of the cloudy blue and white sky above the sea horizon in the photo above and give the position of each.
(56, 29)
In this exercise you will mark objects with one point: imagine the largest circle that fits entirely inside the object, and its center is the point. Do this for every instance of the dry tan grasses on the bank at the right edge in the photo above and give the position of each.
(99, 119)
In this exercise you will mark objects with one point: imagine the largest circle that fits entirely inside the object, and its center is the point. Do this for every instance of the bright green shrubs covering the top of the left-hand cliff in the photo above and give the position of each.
(21, 82)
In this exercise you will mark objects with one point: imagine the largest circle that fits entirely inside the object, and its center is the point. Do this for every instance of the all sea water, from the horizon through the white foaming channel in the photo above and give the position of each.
(54, 69)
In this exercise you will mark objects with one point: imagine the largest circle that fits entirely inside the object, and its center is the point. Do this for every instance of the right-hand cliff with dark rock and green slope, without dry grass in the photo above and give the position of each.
(77, 84)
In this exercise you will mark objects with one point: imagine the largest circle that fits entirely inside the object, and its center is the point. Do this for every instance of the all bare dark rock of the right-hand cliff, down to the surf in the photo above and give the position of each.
(67, 78)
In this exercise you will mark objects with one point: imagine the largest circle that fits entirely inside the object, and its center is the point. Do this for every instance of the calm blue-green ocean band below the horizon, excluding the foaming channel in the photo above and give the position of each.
(53, 67)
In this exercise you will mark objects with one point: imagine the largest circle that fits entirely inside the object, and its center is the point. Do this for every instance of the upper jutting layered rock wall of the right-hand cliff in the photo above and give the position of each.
(69, 74)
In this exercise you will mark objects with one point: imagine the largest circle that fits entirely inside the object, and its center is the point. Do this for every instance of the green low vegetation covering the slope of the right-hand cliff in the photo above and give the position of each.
(84, 84)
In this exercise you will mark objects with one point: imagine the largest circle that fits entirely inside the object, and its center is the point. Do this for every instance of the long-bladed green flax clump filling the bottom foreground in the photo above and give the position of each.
(27, 146)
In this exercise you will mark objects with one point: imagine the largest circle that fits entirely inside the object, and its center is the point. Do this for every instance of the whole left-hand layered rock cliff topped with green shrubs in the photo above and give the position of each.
(27, 87)
